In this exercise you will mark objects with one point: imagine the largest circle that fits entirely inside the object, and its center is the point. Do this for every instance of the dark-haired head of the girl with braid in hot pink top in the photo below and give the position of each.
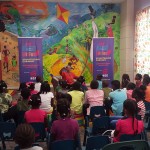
(130, 108)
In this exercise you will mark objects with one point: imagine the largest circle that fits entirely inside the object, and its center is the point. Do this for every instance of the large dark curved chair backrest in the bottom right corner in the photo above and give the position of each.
(128, 145)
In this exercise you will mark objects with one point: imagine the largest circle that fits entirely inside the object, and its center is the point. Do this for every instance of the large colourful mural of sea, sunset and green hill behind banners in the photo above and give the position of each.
(67, 30)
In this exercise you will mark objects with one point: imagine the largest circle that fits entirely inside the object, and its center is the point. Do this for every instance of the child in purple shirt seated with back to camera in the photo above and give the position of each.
(64, 128)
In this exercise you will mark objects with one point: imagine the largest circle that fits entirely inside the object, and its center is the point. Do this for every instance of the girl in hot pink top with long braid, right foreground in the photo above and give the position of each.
(129, 124)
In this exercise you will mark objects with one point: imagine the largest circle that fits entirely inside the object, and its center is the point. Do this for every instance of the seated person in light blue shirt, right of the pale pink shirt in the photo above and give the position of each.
(118, 96)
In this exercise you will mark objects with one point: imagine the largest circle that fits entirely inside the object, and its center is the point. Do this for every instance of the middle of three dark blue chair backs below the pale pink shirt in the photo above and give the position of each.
(100, 125)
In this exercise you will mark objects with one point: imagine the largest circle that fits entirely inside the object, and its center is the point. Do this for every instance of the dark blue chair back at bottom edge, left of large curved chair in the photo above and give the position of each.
(97, 142)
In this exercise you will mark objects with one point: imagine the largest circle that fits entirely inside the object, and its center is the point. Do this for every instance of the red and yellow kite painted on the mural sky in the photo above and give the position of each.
(62, 14)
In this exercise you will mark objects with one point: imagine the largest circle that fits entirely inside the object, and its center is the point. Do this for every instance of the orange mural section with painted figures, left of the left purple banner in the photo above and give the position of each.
(9, 58)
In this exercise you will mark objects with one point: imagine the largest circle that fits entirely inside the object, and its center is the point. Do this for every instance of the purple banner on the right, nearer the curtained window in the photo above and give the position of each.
(103, 58)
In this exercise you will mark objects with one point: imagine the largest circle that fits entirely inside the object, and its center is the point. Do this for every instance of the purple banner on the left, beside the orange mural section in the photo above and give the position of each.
(30, 59)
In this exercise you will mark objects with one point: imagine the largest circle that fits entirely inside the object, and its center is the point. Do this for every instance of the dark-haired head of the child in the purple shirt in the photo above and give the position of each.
(63, 107)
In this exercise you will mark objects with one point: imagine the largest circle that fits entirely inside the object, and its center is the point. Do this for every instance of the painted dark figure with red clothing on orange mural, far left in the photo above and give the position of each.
(6, 53)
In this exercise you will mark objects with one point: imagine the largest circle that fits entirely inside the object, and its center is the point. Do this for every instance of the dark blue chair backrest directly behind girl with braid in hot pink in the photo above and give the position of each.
(130, 137)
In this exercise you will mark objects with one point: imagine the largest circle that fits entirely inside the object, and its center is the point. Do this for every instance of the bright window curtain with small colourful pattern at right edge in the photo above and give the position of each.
(142, 42)
